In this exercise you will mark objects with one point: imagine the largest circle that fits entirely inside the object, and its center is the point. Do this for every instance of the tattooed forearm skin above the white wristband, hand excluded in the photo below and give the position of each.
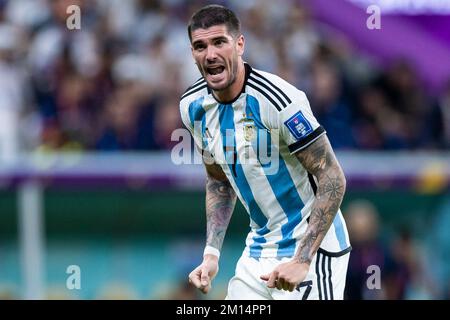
(220, 202)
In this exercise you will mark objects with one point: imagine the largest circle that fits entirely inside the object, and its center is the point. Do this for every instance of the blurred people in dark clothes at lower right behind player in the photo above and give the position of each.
(403, 268)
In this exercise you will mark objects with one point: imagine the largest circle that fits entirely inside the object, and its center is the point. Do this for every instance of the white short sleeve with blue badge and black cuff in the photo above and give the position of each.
(297, 124)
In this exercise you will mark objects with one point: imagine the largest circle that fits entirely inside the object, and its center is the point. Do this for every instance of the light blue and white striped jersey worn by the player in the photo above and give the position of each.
(253, 139)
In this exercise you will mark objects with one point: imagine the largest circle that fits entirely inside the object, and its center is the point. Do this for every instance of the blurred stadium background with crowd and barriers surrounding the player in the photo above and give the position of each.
(86, 118)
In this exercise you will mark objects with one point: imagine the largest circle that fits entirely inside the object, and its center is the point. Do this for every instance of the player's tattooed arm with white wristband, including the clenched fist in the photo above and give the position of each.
(220, 201)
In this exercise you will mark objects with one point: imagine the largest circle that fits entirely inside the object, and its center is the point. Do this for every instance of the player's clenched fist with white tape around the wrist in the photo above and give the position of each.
(202, 276)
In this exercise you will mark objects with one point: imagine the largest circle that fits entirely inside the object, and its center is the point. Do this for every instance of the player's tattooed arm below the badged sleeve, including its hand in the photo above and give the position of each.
(319, 160)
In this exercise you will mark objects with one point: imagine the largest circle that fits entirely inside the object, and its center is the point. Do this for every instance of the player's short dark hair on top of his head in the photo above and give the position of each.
(214, 15)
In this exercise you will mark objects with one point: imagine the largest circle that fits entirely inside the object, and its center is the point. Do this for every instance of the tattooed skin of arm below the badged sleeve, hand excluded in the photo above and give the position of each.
(319, 160)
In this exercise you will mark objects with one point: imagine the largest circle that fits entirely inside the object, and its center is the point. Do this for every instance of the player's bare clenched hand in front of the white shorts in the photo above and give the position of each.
(287, 276)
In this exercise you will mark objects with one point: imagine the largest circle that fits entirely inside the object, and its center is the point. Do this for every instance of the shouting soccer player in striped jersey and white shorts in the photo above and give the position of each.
(298, 245)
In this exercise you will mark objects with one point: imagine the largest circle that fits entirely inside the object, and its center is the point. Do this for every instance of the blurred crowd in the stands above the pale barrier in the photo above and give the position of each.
(114, 84)
